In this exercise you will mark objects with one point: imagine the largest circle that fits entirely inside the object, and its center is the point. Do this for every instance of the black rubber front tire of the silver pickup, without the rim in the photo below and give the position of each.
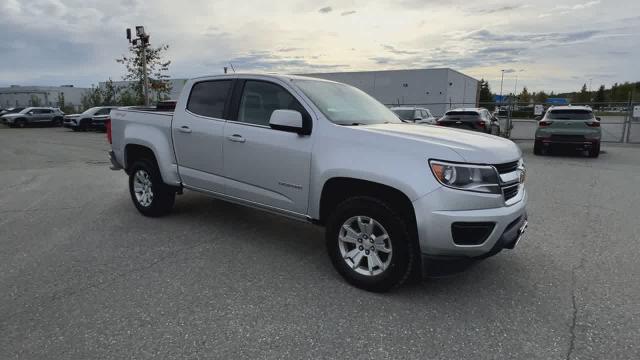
(403, 254)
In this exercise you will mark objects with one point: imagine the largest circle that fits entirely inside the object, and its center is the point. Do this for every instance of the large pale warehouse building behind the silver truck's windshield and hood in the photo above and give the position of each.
(436, 89)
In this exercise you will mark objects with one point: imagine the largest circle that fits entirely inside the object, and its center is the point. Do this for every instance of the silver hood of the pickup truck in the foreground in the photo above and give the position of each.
(473, 147)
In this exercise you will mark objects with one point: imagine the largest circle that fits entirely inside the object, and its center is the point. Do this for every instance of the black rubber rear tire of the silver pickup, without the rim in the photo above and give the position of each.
(163, 195)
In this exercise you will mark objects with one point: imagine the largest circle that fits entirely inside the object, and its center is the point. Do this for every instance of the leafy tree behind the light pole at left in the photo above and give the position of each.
(157, 68)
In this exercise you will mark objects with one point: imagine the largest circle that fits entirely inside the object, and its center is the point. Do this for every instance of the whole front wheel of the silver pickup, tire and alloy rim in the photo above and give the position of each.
(369, 244)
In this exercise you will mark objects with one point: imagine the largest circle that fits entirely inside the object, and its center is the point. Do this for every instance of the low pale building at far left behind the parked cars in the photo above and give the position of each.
(24, 96)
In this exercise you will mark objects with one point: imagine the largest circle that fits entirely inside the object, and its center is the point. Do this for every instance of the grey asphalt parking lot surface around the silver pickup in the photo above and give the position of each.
(84, 276)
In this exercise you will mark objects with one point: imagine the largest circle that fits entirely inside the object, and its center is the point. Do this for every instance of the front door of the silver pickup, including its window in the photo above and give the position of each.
(265, 166)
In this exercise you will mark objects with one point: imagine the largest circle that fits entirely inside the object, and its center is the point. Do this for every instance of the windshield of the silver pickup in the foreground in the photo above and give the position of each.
(345, 105)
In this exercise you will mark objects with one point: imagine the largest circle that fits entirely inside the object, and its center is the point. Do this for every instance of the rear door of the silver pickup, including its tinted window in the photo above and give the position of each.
(198, 135)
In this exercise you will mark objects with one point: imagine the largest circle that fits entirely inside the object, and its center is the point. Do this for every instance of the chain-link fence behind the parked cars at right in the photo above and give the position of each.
(519, 121)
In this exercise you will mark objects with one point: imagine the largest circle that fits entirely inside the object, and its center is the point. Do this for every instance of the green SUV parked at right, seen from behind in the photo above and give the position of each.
(571, 126)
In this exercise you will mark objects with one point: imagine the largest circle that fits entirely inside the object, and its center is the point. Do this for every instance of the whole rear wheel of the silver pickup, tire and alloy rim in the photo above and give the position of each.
(149, 194)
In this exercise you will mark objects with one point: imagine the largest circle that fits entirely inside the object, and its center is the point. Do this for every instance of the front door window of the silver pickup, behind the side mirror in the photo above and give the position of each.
(260, 99)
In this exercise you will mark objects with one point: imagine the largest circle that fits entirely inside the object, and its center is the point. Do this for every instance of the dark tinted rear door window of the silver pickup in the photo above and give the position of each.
(208, 98)
